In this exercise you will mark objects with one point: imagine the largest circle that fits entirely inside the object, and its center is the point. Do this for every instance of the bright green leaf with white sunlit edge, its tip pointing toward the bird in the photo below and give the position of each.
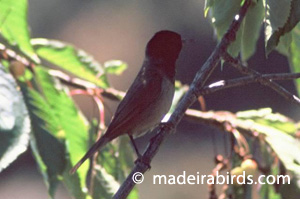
(71, 59)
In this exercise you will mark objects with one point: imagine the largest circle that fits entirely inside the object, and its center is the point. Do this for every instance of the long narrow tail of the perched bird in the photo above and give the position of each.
(97, 146)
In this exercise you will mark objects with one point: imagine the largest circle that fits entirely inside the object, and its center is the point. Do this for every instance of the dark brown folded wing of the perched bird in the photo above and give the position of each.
(139, 97)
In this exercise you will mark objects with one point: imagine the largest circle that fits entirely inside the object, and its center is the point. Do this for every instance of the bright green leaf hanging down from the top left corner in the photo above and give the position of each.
(14, 27)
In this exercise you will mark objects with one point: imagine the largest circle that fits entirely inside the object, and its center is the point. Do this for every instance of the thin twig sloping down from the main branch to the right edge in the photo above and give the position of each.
(264, 81)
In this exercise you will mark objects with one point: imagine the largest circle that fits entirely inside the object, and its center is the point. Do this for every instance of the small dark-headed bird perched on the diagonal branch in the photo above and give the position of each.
(149, 97)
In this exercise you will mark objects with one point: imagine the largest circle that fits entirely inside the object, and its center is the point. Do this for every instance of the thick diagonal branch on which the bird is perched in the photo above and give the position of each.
(188, 99)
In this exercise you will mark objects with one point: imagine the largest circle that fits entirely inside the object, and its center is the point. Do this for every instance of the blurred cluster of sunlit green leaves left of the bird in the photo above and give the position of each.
(60, 132)
